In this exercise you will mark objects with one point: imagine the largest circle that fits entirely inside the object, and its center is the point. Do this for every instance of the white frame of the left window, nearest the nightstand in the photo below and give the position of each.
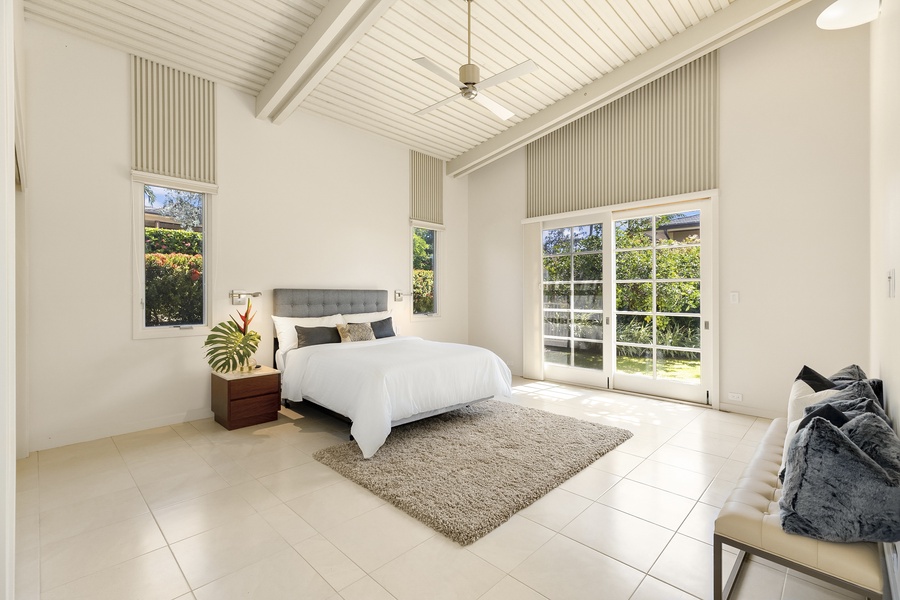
(139, 329)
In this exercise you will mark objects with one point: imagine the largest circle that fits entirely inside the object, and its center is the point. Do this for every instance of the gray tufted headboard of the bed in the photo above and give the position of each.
(320, 303)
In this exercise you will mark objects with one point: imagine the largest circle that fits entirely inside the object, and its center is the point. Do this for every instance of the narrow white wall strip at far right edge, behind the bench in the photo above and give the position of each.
(885, 213)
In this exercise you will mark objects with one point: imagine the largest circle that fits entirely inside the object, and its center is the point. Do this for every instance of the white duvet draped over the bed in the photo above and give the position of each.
(377, 382)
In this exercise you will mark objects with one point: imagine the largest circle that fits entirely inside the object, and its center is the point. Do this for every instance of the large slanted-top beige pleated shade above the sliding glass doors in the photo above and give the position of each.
(657, 141)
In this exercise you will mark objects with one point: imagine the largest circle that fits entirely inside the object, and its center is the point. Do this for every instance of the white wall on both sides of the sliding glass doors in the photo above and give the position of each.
(793, 215)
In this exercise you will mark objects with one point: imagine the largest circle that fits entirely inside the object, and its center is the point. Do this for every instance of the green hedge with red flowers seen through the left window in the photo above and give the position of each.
(174, 289)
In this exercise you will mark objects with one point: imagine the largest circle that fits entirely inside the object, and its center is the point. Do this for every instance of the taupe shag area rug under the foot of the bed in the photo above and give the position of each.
(466, 472)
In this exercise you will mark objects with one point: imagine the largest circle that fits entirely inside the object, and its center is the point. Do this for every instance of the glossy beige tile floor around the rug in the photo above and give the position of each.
(193, 511)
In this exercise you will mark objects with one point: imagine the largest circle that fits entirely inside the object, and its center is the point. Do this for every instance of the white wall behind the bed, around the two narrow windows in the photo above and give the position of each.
(310, 203)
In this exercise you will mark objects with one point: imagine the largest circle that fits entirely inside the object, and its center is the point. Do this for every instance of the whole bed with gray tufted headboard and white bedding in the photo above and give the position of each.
(382, 383)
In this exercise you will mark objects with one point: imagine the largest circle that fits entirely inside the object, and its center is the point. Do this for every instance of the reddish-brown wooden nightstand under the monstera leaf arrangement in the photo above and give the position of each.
(242, 399)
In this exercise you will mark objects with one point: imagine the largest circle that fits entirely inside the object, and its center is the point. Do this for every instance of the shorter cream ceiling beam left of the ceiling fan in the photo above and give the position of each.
(334, 32)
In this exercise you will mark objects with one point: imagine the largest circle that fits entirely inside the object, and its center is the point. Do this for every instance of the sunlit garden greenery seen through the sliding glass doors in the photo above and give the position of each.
(646, 261)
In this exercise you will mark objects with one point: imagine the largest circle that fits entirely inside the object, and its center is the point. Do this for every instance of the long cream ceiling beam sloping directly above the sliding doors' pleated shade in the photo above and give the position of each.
(740, 18)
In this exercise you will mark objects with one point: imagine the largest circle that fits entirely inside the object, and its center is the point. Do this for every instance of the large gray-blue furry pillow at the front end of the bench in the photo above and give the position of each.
(834, 491)
